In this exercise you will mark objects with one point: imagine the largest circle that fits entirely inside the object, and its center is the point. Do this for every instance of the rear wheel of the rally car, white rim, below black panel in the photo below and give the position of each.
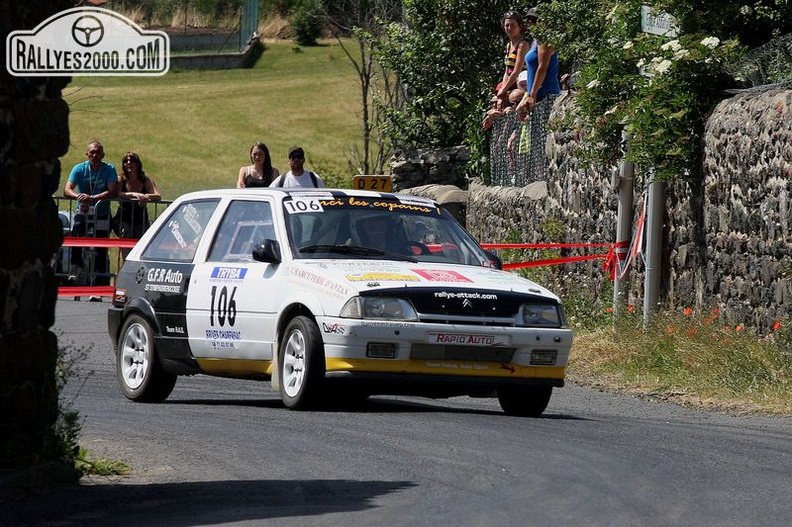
(140, 374)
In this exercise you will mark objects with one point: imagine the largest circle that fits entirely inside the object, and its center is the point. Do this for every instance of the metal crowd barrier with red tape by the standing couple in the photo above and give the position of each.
(82, 264)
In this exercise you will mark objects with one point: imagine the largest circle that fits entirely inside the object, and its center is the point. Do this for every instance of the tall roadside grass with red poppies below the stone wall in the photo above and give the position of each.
(689, 358)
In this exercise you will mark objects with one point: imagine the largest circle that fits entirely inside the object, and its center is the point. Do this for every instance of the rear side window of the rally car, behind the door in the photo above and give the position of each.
(177, 238)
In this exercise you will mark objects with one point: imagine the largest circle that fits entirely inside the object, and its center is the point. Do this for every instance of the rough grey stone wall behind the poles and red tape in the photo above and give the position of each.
(726, 242)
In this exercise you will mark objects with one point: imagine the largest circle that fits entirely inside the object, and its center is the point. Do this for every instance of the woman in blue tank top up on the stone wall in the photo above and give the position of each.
(541, 63)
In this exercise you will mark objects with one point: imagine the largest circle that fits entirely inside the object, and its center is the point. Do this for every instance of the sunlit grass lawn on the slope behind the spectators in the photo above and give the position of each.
(193, 129)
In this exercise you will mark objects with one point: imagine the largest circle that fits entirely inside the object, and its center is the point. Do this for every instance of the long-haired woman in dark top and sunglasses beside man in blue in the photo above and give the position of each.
(137, 189)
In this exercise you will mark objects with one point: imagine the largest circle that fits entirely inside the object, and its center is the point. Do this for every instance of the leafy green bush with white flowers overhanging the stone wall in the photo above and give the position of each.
(660, 88)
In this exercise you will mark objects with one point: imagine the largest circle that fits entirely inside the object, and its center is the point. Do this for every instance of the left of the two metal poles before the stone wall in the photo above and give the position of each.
(624, 219)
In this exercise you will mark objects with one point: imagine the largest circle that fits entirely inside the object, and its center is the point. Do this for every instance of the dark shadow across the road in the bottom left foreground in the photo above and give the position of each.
(196, 503)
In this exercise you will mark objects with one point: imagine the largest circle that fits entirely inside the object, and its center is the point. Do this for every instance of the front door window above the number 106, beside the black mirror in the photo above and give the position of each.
(244, 226)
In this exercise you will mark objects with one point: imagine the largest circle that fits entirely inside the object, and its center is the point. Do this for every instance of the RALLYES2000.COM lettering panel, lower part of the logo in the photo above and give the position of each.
(35, 58)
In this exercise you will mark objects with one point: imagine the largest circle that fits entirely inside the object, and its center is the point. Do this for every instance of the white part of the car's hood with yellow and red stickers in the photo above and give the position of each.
(370, 275)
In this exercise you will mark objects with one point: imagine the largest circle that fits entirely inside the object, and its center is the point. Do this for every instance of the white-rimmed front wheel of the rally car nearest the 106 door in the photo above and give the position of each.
(302, 364)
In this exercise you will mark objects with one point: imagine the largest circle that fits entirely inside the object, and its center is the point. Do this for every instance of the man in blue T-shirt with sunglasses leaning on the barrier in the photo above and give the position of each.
(92, 183)
